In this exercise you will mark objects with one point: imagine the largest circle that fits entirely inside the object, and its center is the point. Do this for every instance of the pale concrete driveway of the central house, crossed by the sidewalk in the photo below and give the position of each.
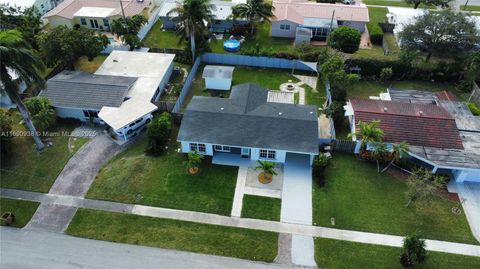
(297, 205)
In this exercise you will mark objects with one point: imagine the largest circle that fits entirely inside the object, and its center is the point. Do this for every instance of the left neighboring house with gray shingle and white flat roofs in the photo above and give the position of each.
(119, 94)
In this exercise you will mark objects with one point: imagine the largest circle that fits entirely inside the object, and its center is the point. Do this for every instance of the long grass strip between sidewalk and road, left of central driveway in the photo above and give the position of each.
(174, 234)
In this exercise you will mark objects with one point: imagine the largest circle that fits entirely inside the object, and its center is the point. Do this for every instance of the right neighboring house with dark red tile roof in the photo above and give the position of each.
(442, 133)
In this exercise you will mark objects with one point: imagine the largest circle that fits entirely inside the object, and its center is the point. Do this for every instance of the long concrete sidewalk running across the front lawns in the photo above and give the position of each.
(207, 218)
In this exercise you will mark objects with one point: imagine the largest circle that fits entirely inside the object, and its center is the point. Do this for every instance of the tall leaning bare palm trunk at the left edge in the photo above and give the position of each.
(11, 89)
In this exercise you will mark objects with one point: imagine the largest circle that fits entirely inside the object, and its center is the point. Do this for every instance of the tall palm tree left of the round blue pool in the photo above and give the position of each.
(191, 17)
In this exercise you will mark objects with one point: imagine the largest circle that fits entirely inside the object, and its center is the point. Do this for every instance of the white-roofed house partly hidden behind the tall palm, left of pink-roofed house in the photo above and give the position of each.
(222, 23)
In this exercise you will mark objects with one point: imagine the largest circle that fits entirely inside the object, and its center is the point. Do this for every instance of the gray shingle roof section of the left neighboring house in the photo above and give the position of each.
(73, 89)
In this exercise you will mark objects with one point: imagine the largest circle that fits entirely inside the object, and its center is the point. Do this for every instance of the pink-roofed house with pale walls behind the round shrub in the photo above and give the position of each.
(305, 21)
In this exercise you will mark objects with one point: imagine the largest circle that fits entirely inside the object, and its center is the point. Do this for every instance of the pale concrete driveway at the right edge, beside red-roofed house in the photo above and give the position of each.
(469, 193)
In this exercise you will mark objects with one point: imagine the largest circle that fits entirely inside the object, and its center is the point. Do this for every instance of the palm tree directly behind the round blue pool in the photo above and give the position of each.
(254, 11)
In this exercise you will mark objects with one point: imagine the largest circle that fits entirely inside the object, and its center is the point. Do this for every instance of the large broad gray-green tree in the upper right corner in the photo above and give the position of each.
(441, 33)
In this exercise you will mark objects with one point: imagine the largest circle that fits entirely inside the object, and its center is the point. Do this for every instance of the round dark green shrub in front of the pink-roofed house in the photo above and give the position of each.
(345, 39)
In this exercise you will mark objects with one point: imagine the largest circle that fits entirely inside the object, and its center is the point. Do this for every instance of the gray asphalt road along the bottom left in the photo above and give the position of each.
(26, 249)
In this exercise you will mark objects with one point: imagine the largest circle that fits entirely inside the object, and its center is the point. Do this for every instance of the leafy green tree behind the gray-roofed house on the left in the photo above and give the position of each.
(64, 46)
